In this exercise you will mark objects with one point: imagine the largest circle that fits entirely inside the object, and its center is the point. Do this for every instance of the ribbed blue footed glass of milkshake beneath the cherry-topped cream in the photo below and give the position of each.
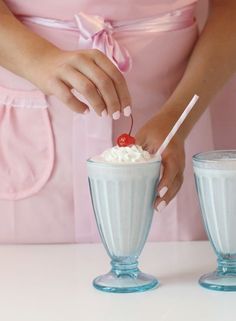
(122, 197)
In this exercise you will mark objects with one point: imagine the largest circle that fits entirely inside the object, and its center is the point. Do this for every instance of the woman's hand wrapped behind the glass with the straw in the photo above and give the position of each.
(150, 137)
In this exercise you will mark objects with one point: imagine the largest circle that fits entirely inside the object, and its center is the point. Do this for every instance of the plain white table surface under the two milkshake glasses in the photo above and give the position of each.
(53, 283)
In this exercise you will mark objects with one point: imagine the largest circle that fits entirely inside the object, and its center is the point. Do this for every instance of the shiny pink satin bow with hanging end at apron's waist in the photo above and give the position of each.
(96, 33)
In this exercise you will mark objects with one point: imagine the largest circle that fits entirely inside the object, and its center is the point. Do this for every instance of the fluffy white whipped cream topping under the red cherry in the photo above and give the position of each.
(128, 154)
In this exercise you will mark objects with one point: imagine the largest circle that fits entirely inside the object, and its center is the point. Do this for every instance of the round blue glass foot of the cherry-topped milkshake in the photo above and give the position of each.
(125, 282)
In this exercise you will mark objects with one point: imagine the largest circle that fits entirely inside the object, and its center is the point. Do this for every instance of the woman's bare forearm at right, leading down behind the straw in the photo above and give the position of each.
(212, 64)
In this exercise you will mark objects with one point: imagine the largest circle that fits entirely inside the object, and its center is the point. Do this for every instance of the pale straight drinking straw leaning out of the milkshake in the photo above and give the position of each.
(177, 125)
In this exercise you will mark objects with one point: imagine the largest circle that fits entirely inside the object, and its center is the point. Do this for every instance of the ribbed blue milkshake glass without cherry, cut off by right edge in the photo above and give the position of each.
(215, 177)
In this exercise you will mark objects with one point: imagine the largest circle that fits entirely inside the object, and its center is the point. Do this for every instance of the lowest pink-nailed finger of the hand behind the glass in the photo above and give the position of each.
(162, 201)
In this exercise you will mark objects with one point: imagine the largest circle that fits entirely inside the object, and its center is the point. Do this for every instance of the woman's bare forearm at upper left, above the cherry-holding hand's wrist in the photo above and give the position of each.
(20, 49)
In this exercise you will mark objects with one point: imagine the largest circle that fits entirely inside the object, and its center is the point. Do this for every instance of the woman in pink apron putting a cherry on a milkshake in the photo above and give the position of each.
(44, 193)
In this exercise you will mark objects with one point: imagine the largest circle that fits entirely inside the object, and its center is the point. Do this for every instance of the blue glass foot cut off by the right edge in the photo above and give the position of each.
(219, 281)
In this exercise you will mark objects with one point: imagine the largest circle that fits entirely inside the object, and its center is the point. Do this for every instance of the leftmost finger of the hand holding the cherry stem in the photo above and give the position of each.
(62, 92)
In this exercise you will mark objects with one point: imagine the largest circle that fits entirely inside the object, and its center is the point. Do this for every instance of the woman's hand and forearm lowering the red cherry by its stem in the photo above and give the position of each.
(56, 71)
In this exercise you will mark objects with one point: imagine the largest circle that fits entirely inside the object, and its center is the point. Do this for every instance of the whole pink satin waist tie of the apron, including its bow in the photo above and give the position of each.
(98, 33)
